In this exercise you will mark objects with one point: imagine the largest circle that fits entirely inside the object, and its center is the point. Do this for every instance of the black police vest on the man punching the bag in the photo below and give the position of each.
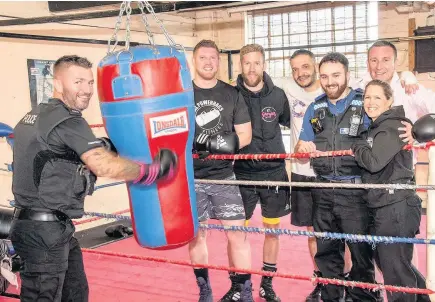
(43, 179)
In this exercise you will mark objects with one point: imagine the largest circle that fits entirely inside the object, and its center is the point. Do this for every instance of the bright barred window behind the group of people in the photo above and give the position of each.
(318, 26)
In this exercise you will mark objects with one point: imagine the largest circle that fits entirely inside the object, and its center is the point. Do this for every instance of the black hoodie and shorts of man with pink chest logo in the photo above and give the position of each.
(269, 108)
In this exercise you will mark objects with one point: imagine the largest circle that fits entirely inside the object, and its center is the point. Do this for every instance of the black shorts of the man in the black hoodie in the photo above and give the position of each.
(275, 201)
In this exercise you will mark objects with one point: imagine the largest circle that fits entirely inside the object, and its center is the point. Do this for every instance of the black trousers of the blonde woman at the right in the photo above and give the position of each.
(400, 219)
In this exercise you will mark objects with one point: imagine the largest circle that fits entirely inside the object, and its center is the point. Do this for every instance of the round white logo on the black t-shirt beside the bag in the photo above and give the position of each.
(208, 116)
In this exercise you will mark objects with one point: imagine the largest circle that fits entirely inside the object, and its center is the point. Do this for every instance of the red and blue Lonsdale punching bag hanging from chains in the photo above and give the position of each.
(146, 100)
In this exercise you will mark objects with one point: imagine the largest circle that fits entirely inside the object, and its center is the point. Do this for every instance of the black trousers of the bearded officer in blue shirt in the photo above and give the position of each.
(343, 211)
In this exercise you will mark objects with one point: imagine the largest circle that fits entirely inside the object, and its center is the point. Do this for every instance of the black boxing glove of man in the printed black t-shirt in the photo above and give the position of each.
(220, 143)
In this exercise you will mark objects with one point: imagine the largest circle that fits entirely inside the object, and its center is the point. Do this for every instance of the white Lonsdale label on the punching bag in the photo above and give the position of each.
(168, 124)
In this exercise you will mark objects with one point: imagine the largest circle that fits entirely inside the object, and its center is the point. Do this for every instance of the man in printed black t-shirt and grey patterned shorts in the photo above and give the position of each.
(223, 125)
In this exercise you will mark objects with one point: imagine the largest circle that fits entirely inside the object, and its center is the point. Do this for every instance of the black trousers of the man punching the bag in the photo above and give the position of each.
(52, 261)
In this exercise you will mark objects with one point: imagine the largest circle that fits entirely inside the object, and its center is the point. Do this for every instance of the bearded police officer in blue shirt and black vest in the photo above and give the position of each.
(333, 122)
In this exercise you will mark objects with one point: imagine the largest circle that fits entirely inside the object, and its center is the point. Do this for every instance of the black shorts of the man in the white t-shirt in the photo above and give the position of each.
(302, 202)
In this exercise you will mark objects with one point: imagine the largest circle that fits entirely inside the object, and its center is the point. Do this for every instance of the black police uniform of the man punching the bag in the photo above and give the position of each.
(50, 184)
